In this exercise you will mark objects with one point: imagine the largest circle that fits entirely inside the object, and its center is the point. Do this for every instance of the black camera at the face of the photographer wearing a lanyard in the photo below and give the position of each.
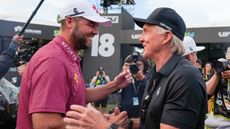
(133, 66)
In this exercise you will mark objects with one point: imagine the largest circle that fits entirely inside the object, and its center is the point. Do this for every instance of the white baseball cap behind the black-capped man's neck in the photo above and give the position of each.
(190, 46)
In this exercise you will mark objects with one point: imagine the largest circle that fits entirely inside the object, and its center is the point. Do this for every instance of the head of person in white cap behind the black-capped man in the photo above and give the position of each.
(191, 49)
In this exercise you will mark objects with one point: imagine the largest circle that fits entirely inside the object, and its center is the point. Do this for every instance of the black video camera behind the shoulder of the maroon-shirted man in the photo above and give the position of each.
(26, 51)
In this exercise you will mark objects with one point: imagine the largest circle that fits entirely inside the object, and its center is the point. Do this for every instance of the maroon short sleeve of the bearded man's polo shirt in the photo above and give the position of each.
(50, 91)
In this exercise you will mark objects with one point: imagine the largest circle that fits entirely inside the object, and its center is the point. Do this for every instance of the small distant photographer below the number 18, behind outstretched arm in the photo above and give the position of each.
(99, 80)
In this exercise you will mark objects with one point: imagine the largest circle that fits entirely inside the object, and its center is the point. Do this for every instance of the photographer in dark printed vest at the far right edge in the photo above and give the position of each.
(219, 117)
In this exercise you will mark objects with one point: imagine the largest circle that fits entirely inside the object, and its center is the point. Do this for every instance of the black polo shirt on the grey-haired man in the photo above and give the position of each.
(179, 97)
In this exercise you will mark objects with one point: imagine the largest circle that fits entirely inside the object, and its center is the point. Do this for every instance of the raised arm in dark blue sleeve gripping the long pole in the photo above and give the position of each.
(7, 58)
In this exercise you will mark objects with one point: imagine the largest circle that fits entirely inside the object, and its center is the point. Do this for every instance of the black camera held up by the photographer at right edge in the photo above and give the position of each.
(221, 65)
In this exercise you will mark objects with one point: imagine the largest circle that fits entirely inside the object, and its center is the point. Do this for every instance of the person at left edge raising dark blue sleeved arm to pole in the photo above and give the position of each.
(7, 90)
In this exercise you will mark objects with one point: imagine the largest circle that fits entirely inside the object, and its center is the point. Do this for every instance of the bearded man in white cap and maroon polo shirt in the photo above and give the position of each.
(53, 80)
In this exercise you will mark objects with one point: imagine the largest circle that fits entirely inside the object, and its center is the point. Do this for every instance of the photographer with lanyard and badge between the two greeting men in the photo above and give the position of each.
(131, 95)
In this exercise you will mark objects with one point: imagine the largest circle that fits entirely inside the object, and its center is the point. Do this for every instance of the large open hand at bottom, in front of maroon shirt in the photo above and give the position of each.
(85, 118)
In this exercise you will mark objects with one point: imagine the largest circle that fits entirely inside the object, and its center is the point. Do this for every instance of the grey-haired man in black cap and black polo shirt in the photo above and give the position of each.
(175, 96)
